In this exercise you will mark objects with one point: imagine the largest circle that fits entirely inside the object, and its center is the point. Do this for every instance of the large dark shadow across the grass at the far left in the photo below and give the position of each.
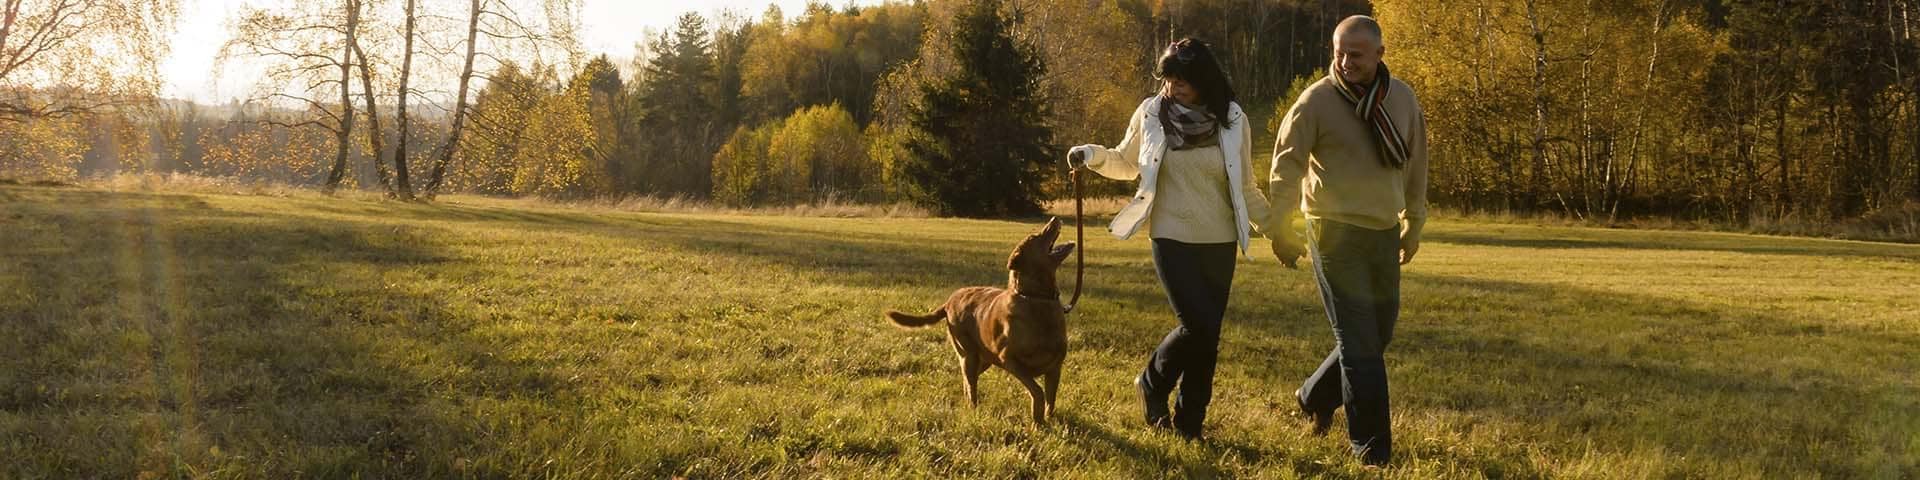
(160, 335)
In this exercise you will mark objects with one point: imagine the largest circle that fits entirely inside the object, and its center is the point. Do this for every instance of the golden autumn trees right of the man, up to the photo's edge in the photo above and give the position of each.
(1727, 110)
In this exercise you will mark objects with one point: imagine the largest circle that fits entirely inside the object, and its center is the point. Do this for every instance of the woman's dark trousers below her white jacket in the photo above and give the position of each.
(1197, 279)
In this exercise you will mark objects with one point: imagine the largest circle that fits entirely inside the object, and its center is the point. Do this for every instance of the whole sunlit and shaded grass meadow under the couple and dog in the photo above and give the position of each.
(262, 337)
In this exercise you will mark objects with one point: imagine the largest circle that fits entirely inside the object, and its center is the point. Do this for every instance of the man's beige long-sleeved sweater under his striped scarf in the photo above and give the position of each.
(1330, 155)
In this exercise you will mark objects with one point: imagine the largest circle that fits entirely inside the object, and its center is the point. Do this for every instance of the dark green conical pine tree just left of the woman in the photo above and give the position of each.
(982, 135)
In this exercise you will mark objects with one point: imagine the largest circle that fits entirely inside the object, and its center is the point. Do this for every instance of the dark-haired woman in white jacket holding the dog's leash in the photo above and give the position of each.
(1191, 151)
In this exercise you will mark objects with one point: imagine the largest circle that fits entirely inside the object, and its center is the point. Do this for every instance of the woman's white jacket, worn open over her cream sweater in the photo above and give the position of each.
(1140, 156)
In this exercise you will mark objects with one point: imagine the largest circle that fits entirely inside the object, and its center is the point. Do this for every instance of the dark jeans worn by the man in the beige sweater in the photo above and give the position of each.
(1358, 274)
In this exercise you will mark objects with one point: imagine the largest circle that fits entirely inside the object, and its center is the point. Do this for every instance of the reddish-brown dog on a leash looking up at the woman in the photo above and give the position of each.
(1020, 329)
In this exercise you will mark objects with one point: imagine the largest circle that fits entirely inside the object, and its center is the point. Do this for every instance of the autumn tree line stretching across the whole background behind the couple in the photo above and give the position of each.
(1727, 110)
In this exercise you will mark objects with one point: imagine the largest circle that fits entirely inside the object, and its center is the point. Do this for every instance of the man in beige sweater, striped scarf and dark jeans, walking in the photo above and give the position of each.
(1356, 145)
